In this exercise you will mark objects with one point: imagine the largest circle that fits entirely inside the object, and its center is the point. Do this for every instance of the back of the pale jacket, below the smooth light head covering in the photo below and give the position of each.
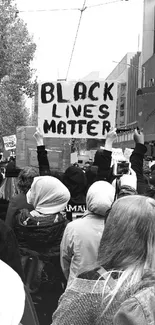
(84, 235)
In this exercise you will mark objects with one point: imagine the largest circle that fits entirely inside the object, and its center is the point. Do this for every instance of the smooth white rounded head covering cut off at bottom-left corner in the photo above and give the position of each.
(12, 296)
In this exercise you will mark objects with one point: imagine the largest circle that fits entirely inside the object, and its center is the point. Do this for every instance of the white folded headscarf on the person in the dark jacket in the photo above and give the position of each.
(48, 195)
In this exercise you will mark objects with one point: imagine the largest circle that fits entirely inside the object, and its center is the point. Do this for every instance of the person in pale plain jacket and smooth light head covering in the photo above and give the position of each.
(81, 239)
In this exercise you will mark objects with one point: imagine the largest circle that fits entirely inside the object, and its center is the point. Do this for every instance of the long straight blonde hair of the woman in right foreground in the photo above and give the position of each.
(127, 247)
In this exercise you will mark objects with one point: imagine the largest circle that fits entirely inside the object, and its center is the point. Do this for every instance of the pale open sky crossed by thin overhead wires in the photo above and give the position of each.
(107, 32)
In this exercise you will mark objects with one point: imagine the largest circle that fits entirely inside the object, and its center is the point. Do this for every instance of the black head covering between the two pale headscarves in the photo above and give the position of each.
(76, 182)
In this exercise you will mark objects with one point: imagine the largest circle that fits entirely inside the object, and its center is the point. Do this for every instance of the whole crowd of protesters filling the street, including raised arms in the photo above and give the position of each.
(78, 247)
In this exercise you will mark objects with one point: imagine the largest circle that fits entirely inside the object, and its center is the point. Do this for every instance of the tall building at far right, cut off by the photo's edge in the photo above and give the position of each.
(146, 95)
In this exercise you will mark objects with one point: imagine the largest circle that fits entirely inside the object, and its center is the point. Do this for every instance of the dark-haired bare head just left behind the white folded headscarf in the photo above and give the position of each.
(25, 178)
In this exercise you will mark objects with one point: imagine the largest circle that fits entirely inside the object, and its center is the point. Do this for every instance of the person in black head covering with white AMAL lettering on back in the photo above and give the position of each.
(75, 180)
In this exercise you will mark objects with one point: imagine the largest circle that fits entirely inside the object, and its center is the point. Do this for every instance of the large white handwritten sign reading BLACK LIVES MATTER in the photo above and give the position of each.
(83, 109)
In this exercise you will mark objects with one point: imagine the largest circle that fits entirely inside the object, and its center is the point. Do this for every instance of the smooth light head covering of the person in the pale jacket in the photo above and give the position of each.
(100, 197)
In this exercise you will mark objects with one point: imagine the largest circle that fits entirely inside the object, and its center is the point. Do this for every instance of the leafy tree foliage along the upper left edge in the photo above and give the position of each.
(16, 53)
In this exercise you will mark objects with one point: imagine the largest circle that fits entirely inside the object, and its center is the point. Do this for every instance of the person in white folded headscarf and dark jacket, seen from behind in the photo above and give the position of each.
(39, 234)
